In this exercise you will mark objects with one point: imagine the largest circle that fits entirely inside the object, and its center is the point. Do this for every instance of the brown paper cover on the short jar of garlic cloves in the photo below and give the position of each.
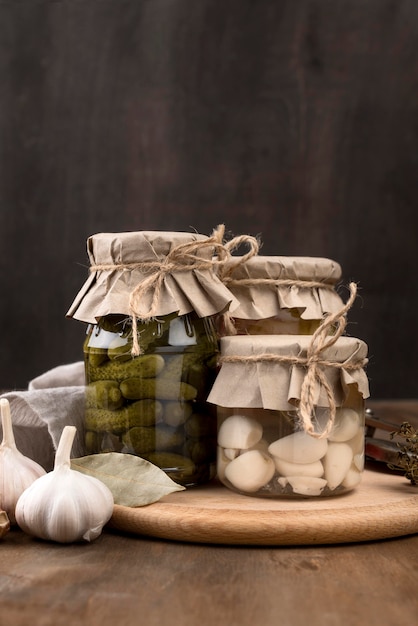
(268, 371)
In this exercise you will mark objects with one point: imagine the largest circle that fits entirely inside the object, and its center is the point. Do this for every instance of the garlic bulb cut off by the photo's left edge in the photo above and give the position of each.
(17, 471)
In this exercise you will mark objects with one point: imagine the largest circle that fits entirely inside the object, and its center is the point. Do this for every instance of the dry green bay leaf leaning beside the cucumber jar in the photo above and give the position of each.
(132, 480)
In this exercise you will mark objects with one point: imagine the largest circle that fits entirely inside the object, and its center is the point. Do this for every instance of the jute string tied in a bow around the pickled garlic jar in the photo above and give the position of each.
(314, 364)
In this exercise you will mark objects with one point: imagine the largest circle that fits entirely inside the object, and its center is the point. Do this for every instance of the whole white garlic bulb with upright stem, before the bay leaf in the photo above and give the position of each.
(65, 505)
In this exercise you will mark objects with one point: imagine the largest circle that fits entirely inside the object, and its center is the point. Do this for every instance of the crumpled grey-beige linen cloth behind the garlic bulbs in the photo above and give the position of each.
(39, 414)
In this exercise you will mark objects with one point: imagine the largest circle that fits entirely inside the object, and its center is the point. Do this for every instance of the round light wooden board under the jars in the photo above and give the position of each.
(384, 505)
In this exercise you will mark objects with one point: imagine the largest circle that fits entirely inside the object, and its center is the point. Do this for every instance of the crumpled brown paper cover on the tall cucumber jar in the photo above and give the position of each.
(120, 262)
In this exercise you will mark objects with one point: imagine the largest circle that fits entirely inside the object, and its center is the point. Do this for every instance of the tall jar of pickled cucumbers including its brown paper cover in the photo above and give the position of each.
(151, 349)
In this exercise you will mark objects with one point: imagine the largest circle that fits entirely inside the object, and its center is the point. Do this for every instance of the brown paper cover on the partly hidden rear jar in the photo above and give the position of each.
(265, 285)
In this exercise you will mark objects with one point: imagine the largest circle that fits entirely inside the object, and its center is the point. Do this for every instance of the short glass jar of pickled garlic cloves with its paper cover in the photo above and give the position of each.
(266, 448)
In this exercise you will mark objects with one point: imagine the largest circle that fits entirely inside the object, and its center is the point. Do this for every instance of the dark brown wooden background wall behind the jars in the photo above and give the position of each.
(293, 119)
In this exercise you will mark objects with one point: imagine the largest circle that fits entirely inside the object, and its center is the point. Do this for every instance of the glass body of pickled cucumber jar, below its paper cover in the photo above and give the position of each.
(153, 405)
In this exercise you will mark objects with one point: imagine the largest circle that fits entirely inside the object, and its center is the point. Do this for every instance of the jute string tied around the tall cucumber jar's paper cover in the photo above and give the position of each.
(182, 258)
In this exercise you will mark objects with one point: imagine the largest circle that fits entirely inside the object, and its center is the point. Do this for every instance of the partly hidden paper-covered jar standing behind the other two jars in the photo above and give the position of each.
(280, 295)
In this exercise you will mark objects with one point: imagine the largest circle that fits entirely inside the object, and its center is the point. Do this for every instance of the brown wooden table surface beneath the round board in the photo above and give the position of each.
(125, 580)
